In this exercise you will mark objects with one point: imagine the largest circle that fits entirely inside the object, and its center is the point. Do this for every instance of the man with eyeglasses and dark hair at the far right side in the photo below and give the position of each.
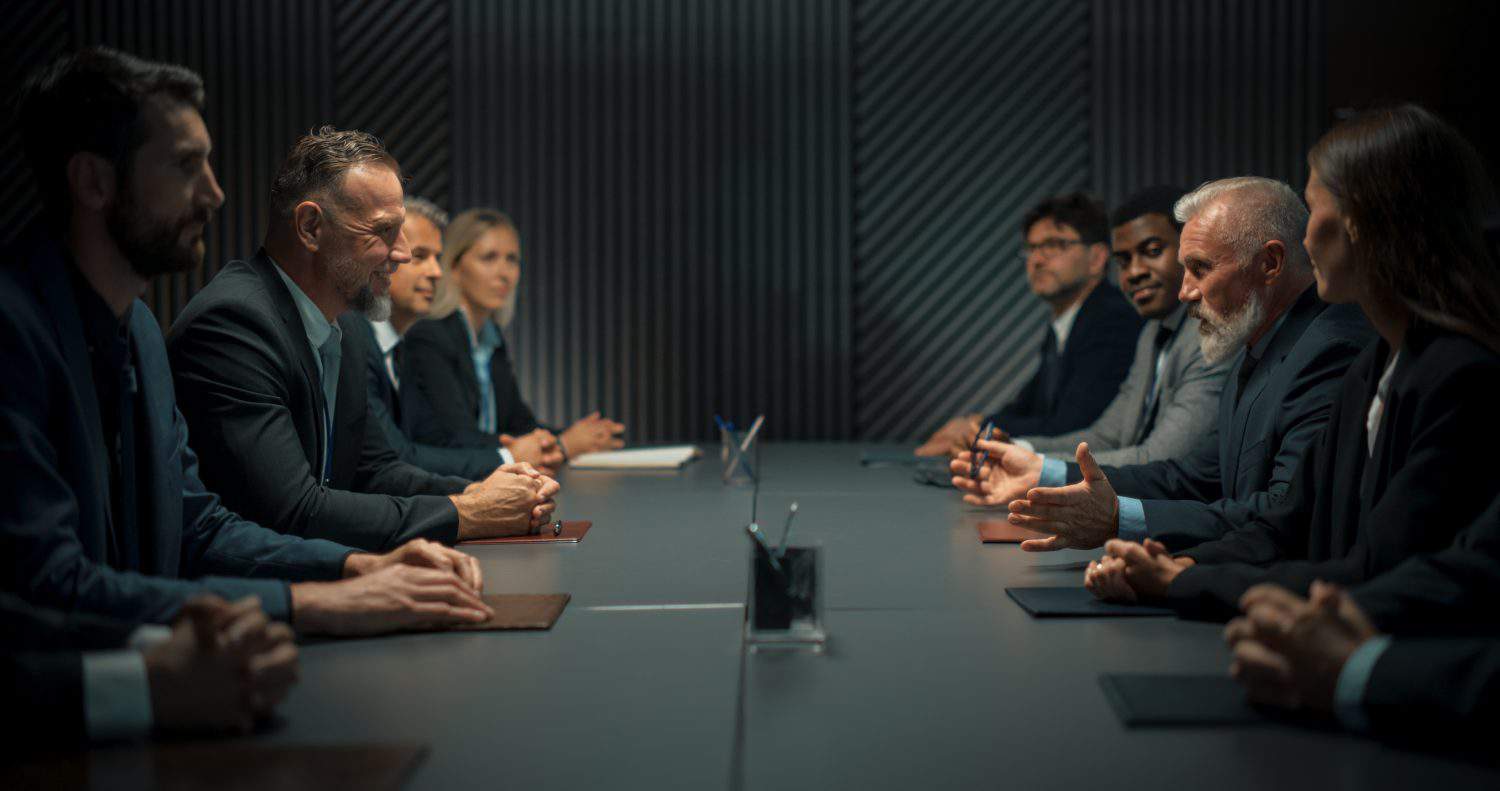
(1091, 338)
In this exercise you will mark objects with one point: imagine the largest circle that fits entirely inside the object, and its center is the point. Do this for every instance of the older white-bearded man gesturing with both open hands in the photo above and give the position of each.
(1250, 286)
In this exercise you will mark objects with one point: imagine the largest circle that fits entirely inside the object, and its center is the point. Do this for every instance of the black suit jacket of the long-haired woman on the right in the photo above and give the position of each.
(1351, 517)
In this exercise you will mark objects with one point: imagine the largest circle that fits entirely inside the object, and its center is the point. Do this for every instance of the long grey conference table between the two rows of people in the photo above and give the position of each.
(932, 678)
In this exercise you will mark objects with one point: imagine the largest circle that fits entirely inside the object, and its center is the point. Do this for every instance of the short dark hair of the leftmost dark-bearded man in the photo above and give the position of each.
(94, 101)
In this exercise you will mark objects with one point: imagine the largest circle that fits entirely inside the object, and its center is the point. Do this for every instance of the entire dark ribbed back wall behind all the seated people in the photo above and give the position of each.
(805, 208)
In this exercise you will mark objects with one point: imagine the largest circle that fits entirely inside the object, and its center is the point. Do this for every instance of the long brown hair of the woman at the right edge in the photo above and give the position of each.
(1417, 194)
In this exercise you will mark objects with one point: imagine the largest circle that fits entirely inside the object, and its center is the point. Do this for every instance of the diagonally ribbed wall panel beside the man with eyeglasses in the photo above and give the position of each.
(965, 115)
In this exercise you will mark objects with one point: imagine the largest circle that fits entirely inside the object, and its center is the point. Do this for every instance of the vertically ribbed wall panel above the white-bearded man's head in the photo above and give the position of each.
(1189, 91)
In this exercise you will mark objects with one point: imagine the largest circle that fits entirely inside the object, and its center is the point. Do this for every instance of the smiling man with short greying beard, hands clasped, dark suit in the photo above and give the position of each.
(277, 392)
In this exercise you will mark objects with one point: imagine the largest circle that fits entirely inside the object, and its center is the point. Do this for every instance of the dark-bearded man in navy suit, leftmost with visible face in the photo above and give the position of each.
(101, 507)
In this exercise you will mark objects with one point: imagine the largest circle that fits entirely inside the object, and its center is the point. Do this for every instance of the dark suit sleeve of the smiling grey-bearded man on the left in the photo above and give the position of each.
(233, 389)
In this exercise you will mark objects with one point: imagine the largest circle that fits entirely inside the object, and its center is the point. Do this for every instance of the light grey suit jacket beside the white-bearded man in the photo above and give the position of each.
(1186, 408)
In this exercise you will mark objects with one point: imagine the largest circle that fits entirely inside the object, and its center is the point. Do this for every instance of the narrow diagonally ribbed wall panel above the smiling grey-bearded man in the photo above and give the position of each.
(392, 80)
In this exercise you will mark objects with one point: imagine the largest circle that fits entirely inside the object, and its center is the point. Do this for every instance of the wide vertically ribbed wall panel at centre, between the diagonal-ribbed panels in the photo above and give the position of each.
(680, 173)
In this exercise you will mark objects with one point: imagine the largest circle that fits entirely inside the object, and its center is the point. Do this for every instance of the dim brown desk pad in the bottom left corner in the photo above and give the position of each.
(223, 766)
